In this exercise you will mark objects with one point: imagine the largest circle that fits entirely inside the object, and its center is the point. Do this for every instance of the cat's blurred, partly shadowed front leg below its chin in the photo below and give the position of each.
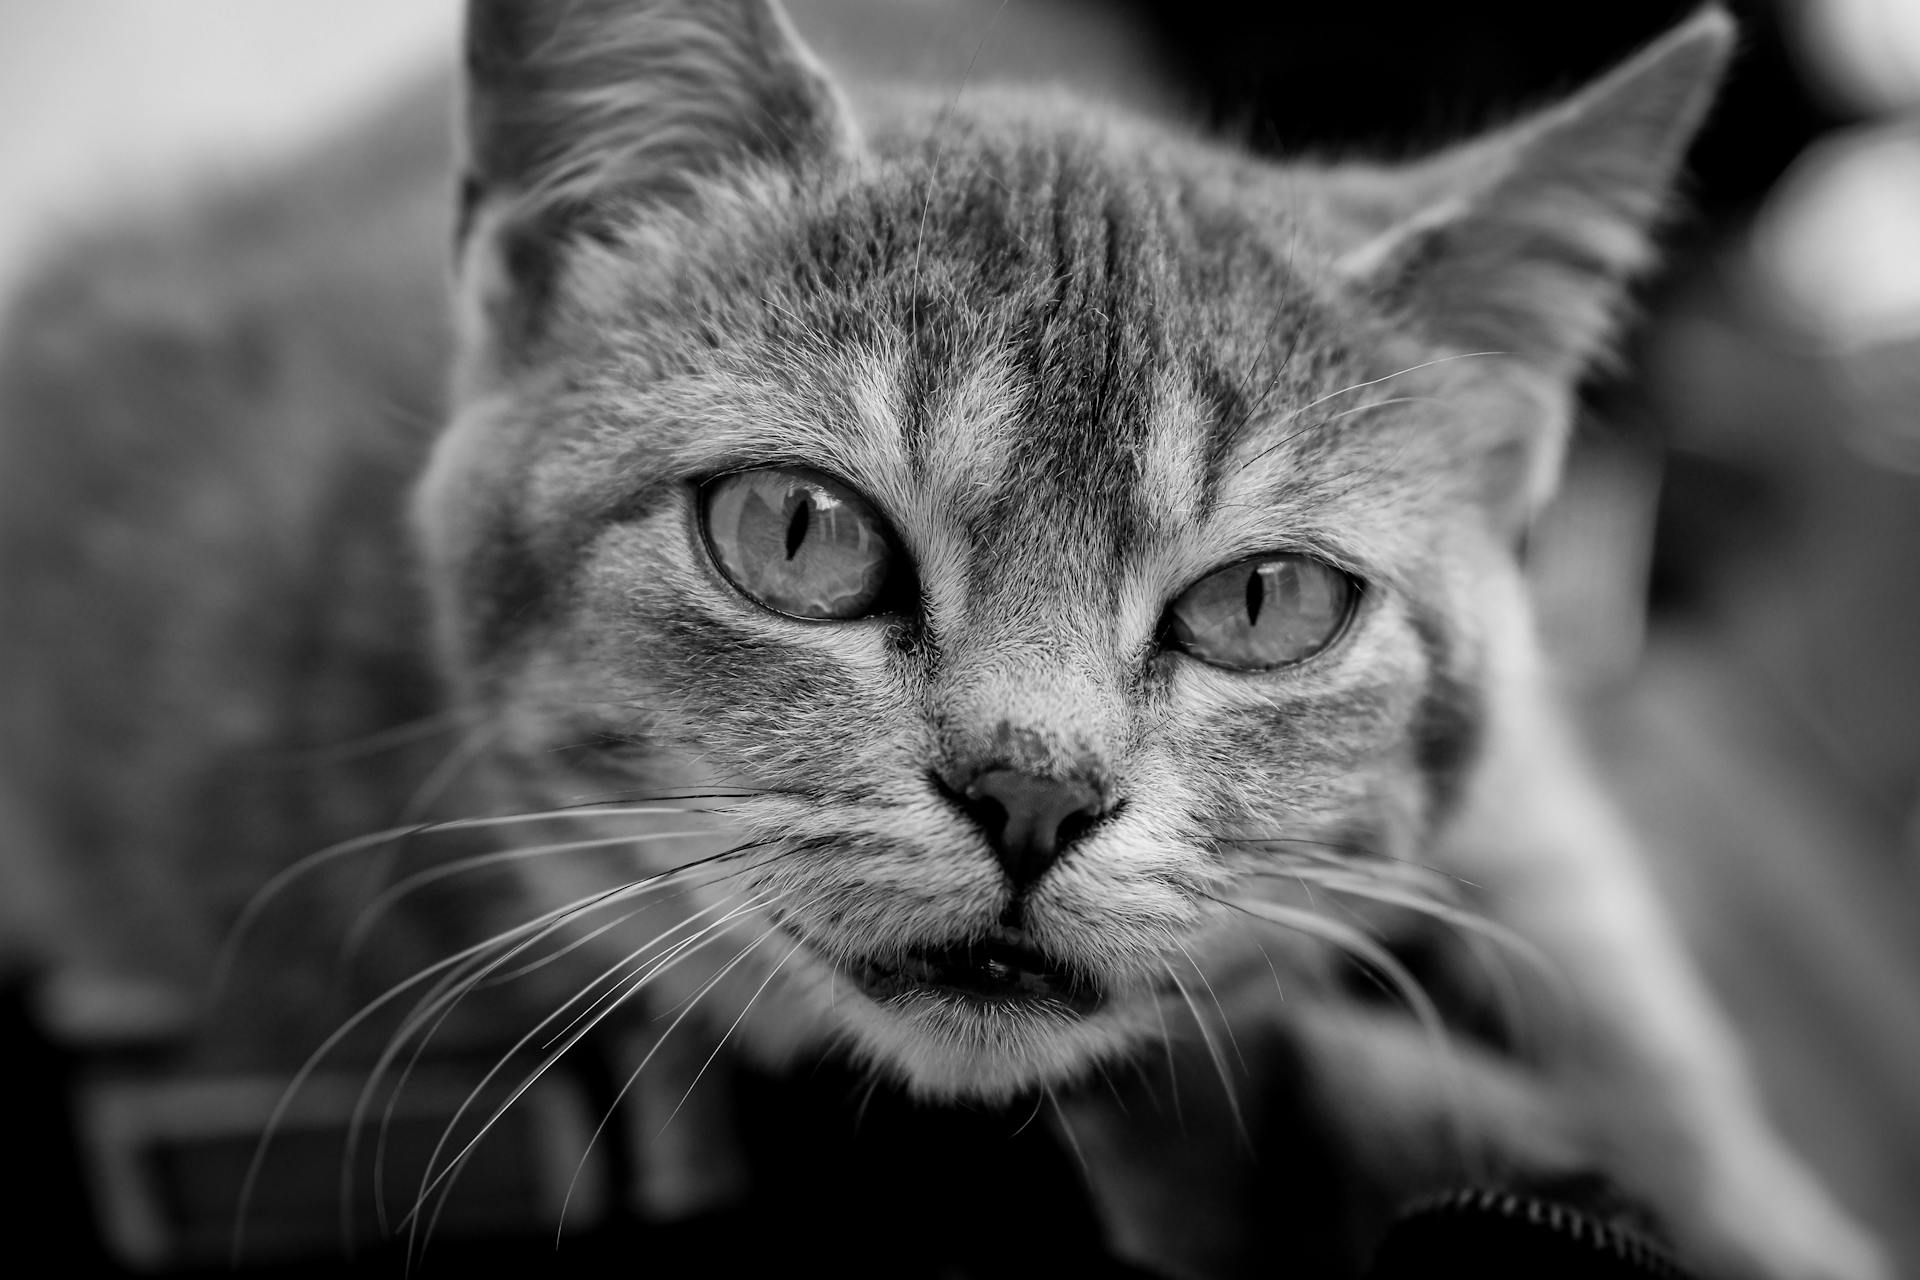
(1295, 1143)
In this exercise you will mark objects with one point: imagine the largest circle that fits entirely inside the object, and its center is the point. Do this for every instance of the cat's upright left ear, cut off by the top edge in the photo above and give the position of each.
(583, 116)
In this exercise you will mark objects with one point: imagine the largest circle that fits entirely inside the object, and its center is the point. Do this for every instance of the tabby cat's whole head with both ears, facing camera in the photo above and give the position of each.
(1045, 527)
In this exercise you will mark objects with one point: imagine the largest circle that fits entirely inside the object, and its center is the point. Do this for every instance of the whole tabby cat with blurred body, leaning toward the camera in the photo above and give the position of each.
(963, 584)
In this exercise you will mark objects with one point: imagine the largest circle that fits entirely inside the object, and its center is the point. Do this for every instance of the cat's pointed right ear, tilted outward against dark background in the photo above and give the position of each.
(1522, 241)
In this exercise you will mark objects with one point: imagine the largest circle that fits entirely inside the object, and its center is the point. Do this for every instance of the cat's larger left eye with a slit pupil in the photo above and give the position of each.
(800, 544)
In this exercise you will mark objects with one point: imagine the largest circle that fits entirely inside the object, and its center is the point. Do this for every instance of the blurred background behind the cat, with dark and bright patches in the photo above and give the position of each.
(1733, 577)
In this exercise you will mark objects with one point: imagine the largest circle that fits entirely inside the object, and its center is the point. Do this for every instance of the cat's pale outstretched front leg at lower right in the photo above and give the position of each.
(1635, 1043)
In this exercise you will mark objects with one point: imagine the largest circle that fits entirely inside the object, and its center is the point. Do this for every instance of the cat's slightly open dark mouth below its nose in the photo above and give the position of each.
(996, 970)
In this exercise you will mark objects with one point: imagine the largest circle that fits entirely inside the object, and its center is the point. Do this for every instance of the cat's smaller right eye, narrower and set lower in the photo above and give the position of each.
(1260, 615)
